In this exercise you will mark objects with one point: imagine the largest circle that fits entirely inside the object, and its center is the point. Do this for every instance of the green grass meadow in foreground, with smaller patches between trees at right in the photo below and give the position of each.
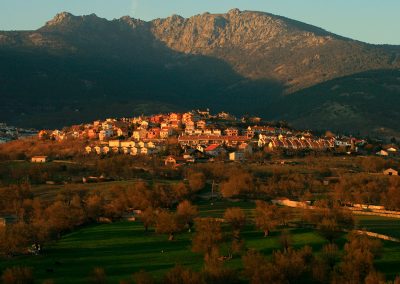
(124, 248)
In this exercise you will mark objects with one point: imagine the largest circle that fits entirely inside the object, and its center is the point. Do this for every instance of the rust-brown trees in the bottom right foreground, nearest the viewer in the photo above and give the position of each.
(303, 266)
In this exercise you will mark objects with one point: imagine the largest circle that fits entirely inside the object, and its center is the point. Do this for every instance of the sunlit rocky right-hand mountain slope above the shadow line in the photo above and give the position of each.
(264, 46)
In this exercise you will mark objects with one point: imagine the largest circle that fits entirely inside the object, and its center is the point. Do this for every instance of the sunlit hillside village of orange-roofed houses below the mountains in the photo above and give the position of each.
(199, 136)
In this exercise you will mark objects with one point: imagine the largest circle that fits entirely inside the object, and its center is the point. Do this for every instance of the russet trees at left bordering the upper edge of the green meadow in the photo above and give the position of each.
(39, 221)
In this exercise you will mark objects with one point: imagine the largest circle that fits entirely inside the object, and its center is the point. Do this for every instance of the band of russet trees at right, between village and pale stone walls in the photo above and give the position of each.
(348, 182)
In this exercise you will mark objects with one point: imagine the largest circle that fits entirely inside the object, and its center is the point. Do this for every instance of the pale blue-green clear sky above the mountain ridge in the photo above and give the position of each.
(374, 21)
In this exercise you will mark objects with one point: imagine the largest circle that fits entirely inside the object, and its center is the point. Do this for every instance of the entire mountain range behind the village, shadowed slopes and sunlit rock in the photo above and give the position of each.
(79, 68)
